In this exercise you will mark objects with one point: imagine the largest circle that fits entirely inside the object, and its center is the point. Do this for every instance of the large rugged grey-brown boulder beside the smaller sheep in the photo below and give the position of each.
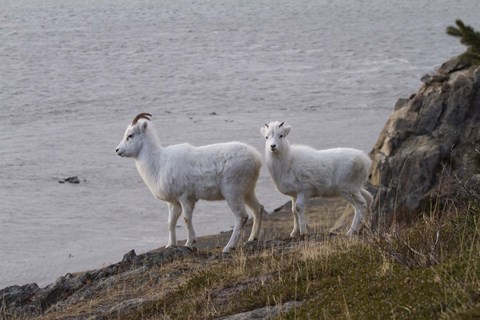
(428, 143)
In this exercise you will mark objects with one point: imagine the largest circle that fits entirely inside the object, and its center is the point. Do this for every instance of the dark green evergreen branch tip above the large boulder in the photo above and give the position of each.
(468, 37)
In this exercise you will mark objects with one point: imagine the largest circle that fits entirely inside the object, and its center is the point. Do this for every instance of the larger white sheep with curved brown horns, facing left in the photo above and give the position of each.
(183, 174)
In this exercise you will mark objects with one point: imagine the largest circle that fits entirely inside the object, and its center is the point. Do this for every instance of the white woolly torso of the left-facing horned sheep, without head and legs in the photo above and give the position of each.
(206, 172)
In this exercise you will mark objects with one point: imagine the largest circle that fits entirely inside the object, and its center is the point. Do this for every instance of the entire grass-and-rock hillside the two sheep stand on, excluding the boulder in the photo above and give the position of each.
(429, 270)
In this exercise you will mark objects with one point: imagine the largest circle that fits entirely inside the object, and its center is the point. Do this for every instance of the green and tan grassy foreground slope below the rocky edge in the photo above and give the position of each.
(428, 271)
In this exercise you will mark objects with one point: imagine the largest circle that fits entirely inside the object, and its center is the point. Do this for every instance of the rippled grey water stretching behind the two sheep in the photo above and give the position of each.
(74, 73)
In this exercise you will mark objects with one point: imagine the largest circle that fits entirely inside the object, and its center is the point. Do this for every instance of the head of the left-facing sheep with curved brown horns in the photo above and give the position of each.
(133, 138)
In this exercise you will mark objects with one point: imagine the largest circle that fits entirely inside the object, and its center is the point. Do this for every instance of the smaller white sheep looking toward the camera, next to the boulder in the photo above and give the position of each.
(302, 172)
